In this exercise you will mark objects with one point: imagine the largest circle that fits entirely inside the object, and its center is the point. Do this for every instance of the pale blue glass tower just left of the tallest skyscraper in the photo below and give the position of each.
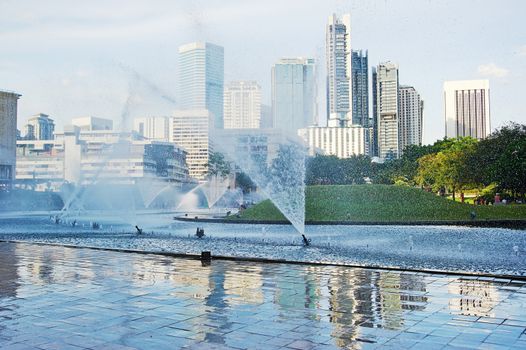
(294, 103)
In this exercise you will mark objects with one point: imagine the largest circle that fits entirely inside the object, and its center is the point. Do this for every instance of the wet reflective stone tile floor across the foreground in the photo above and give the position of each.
(75, 298)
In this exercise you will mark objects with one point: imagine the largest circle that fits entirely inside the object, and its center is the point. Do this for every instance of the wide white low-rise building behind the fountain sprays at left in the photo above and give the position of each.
(85, 157)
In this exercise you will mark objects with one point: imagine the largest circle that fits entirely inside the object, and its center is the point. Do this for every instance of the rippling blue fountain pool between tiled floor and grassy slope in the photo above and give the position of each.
(498, 251)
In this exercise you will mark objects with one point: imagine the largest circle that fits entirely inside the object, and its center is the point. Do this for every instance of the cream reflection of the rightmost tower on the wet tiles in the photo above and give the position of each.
(474, 298)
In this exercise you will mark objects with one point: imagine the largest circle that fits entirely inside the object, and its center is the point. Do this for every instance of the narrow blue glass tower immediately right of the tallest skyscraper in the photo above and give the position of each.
(360, 88)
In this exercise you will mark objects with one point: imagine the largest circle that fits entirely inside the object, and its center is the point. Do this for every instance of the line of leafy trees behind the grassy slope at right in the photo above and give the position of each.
(447, 166)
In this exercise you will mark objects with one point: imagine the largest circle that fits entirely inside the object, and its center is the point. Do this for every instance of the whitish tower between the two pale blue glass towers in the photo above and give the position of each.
(242, 105)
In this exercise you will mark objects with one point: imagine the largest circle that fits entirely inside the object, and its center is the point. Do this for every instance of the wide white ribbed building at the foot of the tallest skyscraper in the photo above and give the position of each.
(342, 142)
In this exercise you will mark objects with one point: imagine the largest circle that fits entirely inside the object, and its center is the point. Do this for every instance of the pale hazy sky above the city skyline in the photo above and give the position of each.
(118, 59)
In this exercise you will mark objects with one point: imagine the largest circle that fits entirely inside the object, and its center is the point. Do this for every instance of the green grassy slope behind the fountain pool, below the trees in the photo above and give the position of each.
(382, 203)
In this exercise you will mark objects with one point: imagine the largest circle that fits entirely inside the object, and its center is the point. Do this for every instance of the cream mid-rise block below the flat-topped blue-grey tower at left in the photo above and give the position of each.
(191, 130)
